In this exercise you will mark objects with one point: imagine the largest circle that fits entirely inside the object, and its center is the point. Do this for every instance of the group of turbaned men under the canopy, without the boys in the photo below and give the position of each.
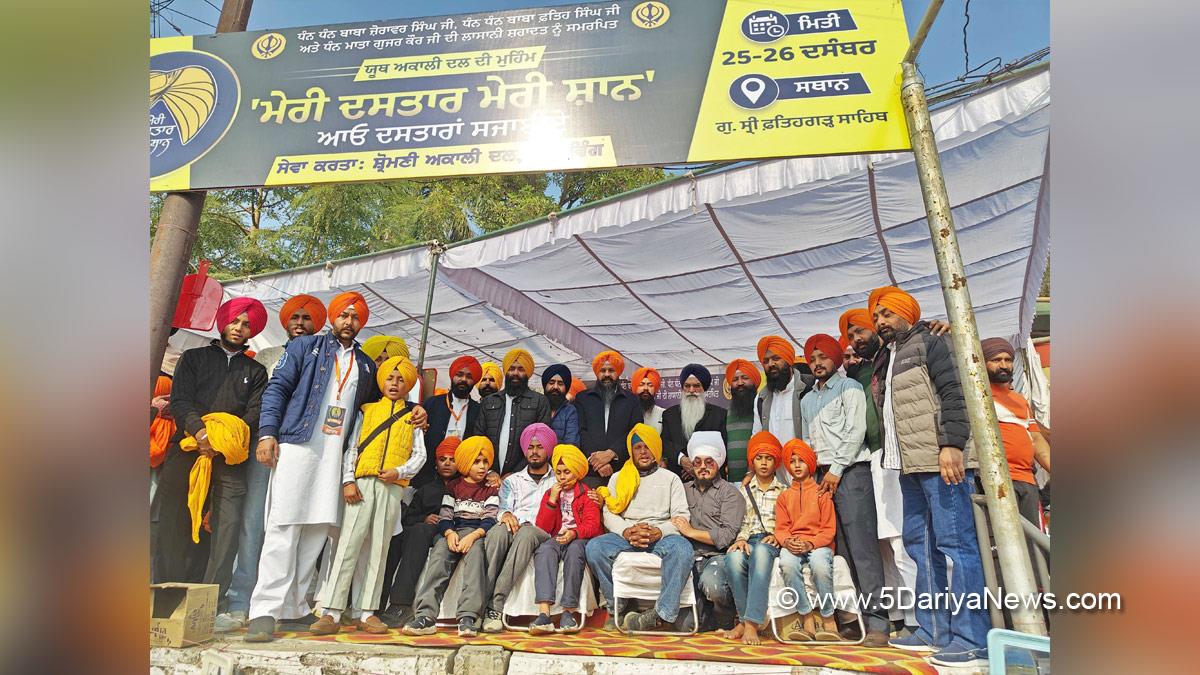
(881, 405)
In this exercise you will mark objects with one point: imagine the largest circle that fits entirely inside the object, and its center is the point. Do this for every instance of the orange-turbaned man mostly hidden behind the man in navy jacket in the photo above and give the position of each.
(302, 315)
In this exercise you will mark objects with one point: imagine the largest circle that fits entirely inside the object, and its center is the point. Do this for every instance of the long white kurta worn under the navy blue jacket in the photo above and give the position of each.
(307, 483)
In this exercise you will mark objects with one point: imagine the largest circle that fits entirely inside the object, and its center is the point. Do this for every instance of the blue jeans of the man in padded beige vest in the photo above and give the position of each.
(939, 524)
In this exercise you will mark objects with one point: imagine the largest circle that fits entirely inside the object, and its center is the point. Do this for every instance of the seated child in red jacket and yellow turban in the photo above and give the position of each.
(572, 519)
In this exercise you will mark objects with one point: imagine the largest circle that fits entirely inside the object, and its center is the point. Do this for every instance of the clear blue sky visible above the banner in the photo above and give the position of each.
(1007, 29)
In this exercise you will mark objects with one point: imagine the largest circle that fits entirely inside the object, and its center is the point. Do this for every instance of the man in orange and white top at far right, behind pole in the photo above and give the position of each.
(1019, 432)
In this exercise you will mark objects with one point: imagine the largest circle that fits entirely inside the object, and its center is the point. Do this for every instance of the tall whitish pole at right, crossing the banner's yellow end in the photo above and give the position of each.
(1017, 570)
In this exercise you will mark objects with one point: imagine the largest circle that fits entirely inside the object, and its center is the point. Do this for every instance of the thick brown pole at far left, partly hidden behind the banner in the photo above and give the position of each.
(176, 235)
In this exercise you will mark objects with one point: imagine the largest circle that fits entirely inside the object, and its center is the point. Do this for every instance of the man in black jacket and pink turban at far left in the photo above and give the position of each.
(215, 379)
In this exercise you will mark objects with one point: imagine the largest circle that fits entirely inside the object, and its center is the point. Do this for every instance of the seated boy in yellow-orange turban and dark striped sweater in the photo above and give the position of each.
(470, 510)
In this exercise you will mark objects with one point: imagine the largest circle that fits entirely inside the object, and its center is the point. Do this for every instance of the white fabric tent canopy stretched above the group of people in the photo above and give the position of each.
(699, 270)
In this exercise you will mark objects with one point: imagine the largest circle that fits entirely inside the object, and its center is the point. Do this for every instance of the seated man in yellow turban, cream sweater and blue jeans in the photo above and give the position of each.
(639, 505)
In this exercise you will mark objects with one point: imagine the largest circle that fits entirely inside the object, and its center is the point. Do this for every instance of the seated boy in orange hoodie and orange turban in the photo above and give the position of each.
(805, 529)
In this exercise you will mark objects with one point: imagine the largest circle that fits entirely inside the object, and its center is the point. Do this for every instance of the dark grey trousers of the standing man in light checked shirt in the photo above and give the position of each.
(859, 540)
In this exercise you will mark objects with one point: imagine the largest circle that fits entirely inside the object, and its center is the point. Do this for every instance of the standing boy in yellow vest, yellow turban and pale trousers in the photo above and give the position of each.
(389, 452)
